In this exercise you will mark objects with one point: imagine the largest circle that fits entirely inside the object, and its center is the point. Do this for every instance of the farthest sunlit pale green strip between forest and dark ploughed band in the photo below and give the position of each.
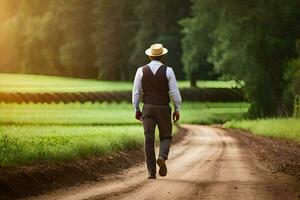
(39, 83)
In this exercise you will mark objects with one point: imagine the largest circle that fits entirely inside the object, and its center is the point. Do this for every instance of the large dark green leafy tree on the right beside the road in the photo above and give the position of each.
(252, 41)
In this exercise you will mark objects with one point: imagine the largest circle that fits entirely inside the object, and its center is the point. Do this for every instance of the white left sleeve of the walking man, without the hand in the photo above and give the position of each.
(137, 90)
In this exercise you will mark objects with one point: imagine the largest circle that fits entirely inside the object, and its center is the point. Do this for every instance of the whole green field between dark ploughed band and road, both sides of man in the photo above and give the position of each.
(49, 132)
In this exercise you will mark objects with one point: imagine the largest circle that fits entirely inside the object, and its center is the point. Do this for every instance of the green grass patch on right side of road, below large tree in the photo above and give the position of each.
(275, 128)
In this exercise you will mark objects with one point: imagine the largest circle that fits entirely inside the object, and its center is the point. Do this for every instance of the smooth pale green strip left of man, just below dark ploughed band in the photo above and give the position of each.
(68, 114)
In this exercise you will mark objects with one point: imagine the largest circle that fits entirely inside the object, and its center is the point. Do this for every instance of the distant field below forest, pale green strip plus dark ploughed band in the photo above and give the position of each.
(50, 89)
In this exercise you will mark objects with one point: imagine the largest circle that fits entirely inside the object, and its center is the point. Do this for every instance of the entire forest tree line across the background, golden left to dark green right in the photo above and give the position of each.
(256, 42)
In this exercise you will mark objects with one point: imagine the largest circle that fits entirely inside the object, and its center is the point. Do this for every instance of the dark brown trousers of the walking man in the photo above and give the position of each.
(159, 115)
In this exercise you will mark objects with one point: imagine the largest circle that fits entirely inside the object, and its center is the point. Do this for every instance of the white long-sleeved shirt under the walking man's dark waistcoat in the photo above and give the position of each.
(173, 88)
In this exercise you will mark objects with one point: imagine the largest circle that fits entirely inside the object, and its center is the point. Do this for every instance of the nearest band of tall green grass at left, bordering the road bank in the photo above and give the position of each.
(28, 144)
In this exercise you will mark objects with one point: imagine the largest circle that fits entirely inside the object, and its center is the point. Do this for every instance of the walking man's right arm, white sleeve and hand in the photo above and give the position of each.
(174, 93)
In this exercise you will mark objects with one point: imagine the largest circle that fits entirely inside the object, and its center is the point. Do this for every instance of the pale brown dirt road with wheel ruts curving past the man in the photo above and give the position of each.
(207, 164)
